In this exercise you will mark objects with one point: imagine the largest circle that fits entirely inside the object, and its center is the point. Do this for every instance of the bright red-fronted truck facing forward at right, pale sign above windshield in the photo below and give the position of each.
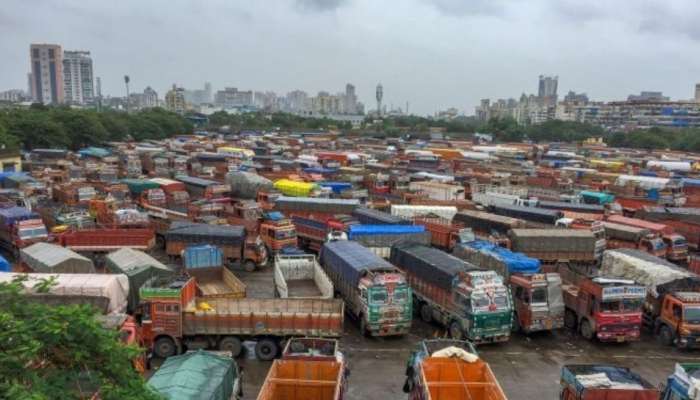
(604, 308)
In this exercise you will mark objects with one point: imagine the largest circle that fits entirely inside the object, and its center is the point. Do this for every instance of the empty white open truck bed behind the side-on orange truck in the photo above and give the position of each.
(301, 276)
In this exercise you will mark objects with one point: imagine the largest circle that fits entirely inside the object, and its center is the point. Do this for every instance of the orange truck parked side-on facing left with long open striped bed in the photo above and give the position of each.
(174, 319)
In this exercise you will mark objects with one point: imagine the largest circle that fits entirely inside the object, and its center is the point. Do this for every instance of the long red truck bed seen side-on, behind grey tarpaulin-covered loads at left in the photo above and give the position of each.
(104, 240)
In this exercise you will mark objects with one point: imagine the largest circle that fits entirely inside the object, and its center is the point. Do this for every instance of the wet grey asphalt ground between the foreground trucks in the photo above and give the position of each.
(526, 367)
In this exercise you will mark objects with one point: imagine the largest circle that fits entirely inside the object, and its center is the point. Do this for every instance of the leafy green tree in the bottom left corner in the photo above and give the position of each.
(61, 352)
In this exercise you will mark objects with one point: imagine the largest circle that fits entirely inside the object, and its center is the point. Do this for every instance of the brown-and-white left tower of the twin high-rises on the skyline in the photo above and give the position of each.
(46, 62)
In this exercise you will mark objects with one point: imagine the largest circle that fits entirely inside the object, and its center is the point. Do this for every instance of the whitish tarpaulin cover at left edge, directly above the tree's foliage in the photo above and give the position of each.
(113, 287)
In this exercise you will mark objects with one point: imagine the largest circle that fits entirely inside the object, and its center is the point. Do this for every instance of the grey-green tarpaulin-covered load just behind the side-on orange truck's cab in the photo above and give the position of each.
(139, 267)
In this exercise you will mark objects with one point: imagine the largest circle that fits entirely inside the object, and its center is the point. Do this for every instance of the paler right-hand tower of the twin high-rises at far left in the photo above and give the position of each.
(78, 81)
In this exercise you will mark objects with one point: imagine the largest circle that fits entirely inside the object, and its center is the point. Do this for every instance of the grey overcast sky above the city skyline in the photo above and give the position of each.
(434, 54)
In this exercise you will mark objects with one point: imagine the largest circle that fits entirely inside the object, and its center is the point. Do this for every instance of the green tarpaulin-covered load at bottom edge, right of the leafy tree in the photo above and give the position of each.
(197, 375)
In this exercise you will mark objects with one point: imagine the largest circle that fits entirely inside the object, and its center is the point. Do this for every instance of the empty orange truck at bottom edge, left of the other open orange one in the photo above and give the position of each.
(310, 368)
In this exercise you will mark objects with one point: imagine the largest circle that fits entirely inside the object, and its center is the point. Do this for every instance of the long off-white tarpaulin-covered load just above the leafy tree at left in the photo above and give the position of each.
(108, 293)
